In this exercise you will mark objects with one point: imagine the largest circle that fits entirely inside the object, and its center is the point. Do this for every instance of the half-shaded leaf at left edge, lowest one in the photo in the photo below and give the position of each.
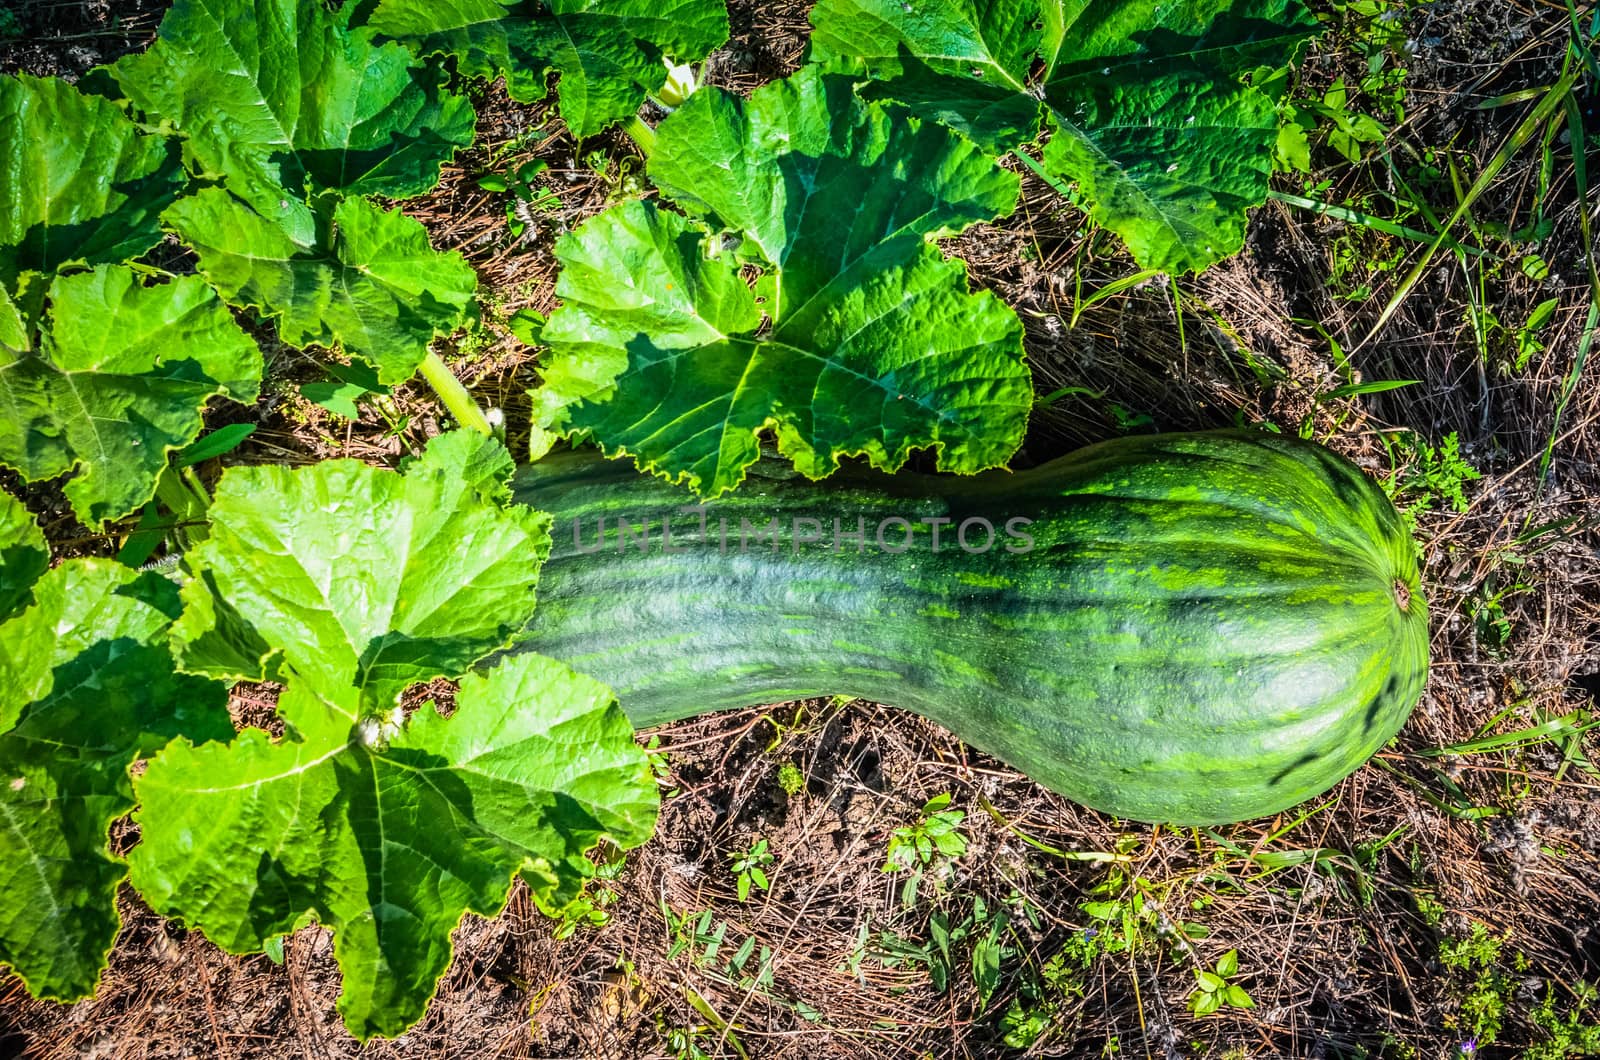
(89, 688)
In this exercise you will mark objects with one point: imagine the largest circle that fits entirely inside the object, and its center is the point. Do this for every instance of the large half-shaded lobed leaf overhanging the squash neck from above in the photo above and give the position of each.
(860, 337)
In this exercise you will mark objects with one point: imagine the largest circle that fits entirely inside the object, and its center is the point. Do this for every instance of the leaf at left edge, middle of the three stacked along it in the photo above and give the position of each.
(118, 379)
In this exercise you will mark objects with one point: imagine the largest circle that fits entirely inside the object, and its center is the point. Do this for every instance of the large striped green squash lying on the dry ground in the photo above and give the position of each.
(1209, 628)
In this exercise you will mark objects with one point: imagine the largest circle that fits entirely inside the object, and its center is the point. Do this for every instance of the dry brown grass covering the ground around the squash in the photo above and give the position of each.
(1340, 955)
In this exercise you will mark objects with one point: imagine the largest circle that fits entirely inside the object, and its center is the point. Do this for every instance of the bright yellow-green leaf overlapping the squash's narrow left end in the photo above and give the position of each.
(388, 830)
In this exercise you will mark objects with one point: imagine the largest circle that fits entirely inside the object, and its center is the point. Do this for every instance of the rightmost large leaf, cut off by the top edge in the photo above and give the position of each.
(1146, 102)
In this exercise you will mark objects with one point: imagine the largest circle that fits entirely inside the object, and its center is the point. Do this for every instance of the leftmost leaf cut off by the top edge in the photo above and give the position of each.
(282, 100)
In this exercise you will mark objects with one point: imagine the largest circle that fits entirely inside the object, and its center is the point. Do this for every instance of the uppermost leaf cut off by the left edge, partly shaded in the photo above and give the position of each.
(81, 182)
